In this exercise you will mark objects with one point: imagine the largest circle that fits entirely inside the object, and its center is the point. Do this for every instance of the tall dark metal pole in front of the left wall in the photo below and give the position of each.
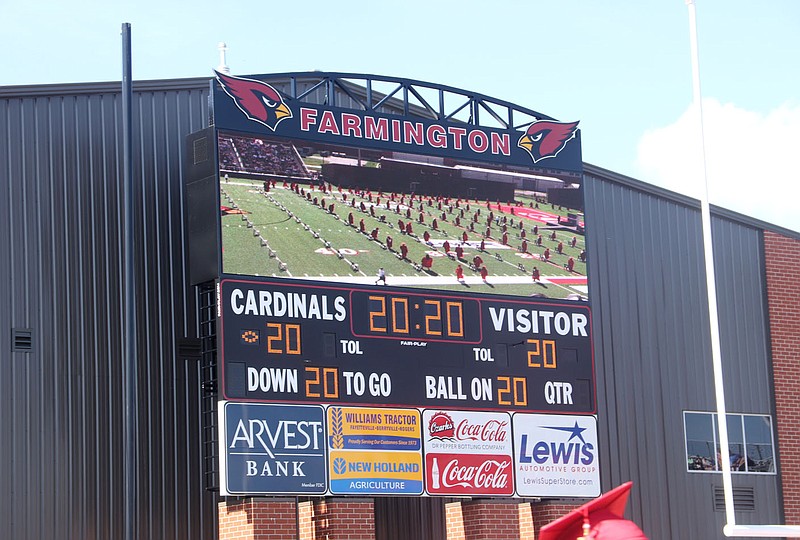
(129, 386)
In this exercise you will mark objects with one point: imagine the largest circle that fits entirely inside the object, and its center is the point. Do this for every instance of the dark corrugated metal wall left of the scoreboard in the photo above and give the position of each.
(60, 275)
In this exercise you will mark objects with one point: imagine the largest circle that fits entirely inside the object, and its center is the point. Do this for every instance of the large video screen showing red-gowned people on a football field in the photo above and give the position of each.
(350, 215)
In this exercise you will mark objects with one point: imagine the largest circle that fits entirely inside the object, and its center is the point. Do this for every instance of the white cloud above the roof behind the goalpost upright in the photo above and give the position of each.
(751, 160)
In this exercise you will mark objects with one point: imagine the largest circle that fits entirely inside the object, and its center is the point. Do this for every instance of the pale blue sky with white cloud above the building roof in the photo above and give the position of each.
(622, 68)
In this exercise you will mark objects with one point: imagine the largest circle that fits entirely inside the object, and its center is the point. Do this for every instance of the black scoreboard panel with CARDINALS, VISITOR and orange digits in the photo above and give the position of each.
(294, 342)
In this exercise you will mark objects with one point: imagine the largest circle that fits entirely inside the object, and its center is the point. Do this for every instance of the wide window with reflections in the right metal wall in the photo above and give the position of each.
(749, 442)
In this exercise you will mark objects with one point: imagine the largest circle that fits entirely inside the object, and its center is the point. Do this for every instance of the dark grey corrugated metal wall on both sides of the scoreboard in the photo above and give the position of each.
(60, 276)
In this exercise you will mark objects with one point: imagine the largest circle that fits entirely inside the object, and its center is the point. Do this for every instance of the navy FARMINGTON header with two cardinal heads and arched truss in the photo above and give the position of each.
(277, 105)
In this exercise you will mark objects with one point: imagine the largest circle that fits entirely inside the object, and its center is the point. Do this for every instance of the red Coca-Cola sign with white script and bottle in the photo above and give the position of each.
(471, 475)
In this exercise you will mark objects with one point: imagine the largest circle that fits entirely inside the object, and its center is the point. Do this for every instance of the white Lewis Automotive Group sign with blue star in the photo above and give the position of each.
(556, 456)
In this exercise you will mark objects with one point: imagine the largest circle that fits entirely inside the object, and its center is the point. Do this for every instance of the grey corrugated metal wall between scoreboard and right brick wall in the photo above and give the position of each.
(647, 288)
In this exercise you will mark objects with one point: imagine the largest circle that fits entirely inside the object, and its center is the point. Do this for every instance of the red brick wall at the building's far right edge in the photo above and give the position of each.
(783, 291)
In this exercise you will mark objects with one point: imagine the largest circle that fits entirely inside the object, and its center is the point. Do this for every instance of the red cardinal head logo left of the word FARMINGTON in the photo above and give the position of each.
(257, 100)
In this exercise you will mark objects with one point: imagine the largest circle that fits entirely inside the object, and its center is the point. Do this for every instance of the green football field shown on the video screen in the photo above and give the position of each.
(282, 233)
